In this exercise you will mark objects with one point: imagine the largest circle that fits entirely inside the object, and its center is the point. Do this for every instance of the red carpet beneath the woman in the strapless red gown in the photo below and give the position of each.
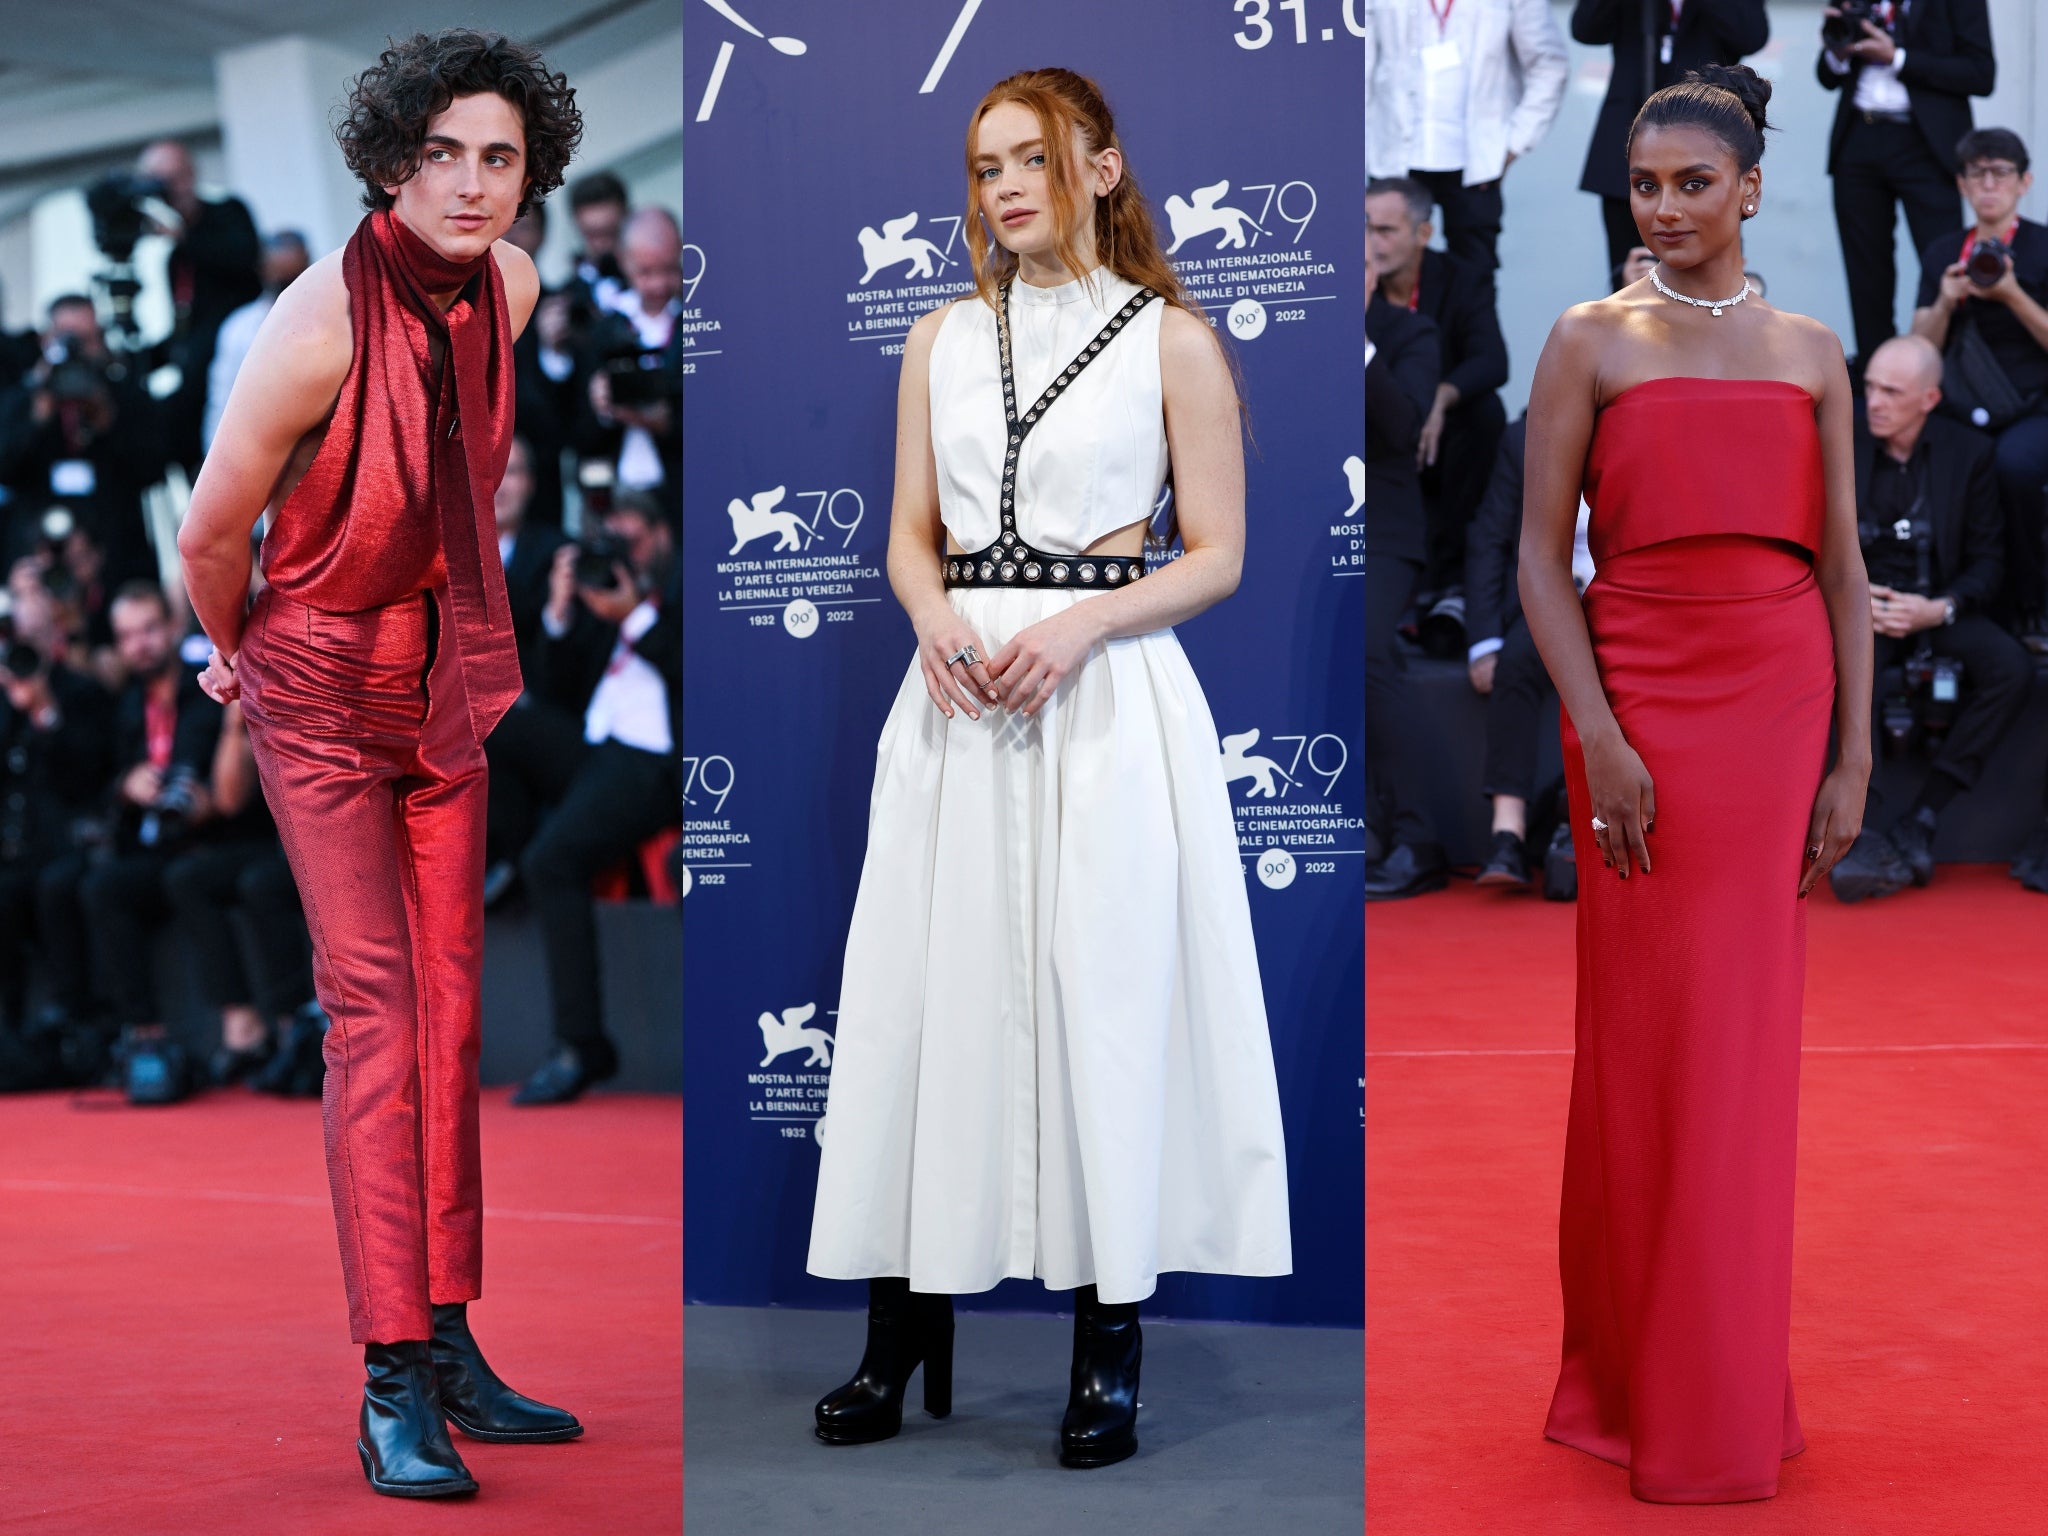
(1920, 1304)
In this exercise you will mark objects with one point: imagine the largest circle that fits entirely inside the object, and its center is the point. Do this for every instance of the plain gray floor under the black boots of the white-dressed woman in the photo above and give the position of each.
(1240, 1431)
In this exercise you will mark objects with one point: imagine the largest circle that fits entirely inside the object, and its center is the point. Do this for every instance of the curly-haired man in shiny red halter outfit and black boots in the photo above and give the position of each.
(374, 417)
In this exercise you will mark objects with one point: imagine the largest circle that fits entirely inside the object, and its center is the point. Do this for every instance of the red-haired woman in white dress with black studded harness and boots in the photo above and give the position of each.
(1052, 1039)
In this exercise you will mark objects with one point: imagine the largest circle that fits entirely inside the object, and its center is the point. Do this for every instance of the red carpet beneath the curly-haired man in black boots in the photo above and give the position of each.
(177, 1347)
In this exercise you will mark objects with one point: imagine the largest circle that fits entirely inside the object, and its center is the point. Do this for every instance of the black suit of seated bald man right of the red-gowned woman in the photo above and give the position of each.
(1953, 474)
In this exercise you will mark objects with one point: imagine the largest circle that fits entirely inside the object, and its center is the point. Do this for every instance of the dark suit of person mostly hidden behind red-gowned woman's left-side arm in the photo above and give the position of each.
(1494, 613)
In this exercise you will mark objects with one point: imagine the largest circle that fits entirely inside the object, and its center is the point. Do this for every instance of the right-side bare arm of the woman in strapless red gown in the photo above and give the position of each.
(1838, 810)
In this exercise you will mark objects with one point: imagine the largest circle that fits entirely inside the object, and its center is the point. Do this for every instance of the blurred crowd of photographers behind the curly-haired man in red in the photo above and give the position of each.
(130, 806)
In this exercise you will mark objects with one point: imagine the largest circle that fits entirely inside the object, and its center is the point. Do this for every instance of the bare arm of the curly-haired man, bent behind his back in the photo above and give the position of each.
(286, 388)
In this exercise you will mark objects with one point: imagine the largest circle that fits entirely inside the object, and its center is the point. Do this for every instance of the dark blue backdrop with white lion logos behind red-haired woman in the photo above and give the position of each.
(824, 202)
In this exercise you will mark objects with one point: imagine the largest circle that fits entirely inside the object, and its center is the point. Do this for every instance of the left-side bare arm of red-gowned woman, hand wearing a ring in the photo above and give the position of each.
(1564, 400)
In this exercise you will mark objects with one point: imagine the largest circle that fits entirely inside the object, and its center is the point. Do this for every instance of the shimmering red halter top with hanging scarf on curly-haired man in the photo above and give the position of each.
(407, 478)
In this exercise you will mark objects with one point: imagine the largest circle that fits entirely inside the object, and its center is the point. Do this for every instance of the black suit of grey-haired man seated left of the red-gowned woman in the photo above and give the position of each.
(1459, 298)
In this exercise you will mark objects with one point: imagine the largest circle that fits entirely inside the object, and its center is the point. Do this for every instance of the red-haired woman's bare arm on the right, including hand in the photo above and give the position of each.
(1205, 443)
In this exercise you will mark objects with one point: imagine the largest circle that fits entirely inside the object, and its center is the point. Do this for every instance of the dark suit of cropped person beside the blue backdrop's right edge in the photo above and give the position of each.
(1400, 386)
